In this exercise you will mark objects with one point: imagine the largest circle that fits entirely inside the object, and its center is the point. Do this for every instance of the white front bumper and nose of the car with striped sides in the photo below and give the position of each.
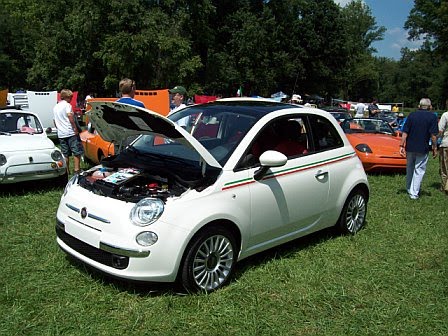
(105, 239)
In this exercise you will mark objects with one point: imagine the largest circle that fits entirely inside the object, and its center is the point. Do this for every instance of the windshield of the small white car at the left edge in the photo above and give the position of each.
(19, 122)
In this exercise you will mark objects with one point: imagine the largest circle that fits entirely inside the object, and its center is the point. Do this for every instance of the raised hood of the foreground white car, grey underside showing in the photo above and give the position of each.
(115, 122)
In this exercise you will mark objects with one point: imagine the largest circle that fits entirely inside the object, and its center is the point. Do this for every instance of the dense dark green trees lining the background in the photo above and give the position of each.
(214, 46)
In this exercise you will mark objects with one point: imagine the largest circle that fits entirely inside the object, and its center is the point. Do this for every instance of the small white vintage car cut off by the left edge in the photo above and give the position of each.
(26, 152)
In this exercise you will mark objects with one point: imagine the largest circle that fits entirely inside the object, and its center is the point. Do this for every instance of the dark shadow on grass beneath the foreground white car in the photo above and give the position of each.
(150, 289)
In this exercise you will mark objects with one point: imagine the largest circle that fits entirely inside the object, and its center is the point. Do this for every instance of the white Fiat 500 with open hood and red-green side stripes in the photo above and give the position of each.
(212, 184)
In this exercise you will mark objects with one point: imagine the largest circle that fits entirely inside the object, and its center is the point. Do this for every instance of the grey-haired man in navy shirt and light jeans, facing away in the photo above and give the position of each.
(420, 127)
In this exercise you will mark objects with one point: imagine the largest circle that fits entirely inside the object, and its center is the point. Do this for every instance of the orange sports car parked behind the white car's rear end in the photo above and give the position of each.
(375, 143)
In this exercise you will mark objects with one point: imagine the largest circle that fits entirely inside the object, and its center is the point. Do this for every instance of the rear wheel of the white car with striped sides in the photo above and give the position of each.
(353, 215)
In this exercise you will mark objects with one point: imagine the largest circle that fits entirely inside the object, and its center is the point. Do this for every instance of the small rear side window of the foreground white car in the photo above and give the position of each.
(325, 136)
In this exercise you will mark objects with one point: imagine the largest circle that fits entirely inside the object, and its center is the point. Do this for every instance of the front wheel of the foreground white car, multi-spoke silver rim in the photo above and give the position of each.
(209, 261)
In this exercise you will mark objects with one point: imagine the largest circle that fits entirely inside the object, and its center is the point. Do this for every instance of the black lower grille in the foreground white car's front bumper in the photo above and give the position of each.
(103, 257)
